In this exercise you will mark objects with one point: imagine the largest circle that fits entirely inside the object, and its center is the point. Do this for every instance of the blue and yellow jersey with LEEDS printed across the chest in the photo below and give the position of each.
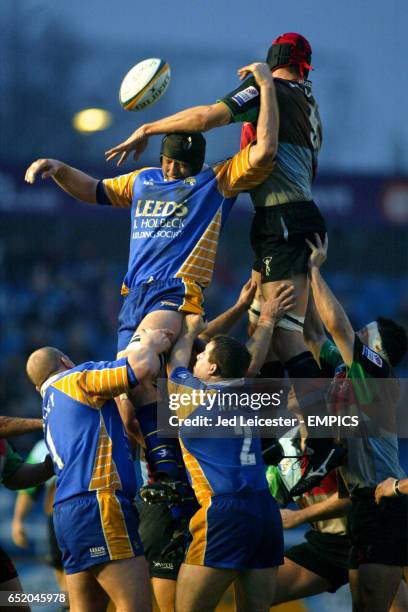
(176, 225)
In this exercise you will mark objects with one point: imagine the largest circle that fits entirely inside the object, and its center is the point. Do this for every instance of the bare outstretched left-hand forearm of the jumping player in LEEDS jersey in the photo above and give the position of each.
(78, 184)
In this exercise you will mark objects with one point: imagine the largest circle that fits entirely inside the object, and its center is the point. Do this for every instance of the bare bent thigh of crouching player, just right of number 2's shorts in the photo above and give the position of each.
(295, 582)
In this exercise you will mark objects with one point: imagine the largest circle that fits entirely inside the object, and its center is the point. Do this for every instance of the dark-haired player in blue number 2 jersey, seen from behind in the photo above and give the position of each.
(237, 532)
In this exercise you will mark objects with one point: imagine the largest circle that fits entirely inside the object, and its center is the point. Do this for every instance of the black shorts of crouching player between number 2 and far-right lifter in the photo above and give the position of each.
(324, 554)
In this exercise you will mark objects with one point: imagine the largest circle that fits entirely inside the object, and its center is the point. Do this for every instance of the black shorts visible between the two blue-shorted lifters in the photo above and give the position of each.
(156, 528)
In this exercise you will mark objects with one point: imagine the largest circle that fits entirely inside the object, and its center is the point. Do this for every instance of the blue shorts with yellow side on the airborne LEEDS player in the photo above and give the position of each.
(177, 294)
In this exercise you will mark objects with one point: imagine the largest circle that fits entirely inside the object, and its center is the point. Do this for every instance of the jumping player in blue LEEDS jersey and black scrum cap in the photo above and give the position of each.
(177, 213)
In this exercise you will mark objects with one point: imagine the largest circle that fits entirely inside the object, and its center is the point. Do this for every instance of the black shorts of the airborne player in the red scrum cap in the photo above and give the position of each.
(278, 236)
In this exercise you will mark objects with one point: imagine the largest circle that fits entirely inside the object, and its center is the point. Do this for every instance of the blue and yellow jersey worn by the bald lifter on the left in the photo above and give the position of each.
(84, 432)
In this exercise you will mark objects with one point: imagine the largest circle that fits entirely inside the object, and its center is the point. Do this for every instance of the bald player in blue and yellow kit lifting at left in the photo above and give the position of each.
(95, 520)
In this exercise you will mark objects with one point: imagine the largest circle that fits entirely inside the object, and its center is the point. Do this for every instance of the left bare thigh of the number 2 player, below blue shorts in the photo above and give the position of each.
(201, 588)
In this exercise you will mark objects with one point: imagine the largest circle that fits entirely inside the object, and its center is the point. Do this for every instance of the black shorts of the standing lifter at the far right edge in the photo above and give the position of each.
(378, 533)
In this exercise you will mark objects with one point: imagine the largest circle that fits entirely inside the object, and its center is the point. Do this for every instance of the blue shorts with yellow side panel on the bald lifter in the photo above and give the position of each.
(96, 528)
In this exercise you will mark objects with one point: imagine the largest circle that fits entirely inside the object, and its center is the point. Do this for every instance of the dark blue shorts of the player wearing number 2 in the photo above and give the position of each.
(237, 531)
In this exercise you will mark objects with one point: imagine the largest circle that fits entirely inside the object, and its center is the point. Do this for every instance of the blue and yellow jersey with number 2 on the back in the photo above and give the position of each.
(215, 466)
